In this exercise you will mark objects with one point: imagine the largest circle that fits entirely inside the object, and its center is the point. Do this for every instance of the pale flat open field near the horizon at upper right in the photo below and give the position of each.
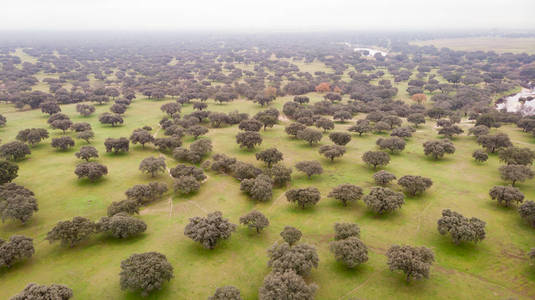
(497, 44)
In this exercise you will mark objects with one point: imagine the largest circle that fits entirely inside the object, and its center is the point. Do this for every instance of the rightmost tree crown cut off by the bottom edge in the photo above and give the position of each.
(286, 285)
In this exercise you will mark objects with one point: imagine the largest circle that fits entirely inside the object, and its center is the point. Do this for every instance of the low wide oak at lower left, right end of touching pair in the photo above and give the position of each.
(121, 226)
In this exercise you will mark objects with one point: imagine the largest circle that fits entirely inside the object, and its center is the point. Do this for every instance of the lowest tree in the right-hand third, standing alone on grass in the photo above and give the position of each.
(413, 261)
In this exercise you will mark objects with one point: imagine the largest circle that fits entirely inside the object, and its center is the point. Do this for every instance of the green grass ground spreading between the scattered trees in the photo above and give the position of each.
(497, 268)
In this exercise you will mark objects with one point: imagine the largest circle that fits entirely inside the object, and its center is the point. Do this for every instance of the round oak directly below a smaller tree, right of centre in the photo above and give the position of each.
(383, 200)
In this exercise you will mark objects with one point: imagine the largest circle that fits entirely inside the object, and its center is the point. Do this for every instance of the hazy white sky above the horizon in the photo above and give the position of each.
(253, 15)
